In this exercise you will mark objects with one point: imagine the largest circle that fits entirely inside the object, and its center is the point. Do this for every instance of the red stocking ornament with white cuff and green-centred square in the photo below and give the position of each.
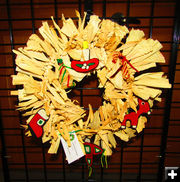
(37, 122)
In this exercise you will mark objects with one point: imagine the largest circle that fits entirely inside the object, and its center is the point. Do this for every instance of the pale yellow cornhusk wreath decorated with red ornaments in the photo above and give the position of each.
(52, 63)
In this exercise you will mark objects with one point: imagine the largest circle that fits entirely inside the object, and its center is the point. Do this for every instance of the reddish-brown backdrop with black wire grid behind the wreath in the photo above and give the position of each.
(142, 159)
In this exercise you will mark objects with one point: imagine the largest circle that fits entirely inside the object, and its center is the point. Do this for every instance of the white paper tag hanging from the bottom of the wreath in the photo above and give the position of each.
(74, 152)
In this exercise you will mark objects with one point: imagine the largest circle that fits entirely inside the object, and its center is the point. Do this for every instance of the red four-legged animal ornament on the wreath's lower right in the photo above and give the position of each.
(133, 116)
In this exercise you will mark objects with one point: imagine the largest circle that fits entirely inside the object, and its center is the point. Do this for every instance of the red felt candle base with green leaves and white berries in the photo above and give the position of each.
(85, 66)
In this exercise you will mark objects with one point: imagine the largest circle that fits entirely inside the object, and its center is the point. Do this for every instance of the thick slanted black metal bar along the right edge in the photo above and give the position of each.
(173, 58)
